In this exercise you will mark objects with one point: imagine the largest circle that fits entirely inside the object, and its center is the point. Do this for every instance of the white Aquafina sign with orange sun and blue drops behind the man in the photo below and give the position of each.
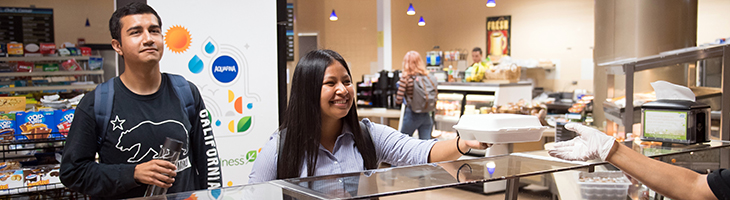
(228, 50)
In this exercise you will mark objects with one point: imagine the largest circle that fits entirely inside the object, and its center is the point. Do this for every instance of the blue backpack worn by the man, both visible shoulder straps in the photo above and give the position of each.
(104, 99)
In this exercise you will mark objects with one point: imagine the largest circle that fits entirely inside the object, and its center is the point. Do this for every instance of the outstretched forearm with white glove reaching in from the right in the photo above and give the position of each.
(671, 181)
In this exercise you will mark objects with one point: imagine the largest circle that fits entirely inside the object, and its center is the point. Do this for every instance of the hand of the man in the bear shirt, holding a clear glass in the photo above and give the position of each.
(156, 172)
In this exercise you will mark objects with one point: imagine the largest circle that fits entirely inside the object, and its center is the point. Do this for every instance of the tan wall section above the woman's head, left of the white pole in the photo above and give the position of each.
(354, 35)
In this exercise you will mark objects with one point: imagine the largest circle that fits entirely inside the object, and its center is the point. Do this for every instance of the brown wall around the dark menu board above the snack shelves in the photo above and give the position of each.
(70, 16)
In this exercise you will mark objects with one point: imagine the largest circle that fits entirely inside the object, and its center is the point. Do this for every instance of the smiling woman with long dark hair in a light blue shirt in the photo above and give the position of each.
(322, 124)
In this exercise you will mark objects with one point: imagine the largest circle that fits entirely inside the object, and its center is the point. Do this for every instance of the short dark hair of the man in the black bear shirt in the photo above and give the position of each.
(134, 8)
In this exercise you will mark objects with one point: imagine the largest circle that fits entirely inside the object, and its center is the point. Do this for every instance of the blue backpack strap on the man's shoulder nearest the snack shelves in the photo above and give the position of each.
(103, 101)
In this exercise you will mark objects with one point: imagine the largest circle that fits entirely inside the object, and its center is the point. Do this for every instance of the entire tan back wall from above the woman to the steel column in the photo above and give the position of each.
(541, 30)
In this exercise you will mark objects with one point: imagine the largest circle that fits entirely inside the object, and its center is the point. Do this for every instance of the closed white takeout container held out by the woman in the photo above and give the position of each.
(500, 128)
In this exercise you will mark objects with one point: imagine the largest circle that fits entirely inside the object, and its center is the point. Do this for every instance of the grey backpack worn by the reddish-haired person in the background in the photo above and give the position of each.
(425, 93)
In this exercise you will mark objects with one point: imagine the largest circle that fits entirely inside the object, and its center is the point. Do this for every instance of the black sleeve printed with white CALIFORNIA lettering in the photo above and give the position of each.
(205, 154)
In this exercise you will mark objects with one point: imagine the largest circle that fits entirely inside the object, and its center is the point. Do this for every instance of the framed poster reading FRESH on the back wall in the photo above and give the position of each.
(498, 37)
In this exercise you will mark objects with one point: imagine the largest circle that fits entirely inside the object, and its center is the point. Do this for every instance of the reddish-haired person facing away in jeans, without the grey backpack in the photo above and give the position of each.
(412, 121)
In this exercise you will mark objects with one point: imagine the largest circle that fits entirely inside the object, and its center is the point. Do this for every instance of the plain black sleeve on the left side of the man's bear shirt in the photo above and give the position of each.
(79, 171)
